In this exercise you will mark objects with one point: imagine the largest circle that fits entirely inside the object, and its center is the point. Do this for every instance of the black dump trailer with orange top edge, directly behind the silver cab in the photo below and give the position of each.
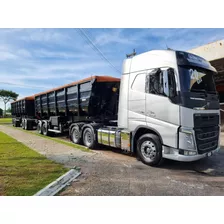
(72, 107)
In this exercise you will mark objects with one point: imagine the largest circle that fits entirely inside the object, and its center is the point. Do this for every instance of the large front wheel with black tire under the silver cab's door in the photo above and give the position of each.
(149, 150)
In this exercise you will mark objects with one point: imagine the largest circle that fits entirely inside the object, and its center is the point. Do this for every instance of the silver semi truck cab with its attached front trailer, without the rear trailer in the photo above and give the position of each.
(165, 106)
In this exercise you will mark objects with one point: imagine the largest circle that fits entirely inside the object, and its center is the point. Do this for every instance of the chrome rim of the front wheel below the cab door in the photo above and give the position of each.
(148, 150)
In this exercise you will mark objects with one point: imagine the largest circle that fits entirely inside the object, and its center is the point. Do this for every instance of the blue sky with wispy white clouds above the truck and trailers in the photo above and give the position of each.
(34, 60)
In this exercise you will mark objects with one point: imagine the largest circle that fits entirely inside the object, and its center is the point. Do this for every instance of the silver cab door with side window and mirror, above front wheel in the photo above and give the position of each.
(162, 114)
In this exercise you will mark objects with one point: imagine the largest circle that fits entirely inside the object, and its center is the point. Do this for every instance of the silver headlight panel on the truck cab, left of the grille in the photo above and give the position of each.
(186, 139)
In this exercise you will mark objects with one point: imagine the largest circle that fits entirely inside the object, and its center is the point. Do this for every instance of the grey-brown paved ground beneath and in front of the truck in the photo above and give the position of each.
(112, 173)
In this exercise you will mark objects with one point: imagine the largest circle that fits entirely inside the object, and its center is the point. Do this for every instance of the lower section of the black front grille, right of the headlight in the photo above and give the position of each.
(207, 139)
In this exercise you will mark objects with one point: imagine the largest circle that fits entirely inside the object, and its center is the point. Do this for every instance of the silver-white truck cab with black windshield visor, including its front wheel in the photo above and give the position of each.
(169, 105)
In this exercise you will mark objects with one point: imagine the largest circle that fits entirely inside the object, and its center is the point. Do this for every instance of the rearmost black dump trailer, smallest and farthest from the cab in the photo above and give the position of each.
(23, 113)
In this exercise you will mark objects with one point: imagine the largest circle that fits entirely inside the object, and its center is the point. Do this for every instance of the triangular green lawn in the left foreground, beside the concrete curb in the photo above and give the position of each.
(24, 171)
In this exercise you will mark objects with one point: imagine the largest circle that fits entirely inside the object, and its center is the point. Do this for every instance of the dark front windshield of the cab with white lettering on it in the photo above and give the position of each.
(194, 79)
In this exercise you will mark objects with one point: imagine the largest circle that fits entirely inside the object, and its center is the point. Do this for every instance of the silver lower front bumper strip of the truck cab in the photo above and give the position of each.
(173, 154)
